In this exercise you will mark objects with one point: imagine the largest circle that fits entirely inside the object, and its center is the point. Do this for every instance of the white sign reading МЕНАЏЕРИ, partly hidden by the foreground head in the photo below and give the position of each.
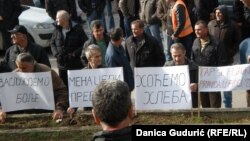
(83, 82)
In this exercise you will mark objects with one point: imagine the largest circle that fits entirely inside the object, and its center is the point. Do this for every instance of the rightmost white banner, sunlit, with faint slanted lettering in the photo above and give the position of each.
(227, 78)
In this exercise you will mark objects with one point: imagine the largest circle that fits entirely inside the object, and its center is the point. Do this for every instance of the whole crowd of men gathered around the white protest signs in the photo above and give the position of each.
(156, 32)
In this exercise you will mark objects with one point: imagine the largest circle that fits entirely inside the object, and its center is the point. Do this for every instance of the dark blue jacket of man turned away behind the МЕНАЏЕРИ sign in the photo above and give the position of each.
(116, 57)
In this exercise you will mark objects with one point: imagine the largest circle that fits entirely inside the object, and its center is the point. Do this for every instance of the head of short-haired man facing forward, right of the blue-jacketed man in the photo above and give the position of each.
(137, 27)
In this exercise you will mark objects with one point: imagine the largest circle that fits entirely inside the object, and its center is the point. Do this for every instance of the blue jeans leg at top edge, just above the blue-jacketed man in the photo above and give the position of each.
(111, 22)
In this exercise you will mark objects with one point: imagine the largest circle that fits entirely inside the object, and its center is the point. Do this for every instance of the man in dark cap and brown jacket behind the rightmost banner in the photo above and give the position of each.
(227, 36)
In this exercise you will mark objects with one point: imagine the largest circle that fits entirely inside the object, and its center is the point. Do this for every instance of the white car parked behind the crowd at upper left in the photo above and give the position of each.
(38, 24)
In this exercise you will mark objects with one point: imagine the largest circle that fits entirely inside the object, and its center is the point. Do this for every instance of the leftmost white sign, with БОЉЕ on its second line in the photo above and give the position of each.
(21, 91)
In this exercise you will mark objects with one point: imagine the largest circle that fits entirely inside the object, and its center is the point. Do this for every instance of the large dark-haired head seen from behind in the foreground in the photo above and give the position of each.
(112, 103)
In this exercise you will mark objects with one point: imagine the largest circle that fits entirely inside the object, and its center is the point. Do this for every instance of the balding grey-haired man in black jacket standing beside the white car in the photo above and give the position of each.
(66, 44)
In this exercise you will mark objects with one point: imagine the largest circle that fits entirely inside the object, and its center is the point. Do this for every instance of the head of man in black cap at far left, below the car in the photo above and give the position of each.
(19, 34)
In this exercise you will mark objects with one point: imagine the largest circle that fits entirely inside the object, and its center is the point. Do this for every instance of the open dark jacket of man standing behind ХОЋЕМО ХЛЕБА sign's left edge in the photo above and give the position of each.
(148, 54)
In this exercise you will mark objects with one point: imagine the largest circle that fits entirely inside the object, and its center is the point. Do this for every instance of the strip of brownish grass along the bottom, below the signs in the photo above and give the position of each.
(42, 128)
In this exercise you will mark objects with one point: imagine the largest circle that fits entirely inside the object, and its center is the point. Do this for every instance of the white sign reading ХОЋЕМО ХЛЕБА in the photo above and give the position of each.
(162, 88)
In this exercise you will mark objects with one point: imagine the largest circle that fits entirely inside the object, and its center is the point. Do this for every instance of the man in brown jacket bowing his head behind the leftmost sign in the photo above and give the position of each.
(26, 63)
